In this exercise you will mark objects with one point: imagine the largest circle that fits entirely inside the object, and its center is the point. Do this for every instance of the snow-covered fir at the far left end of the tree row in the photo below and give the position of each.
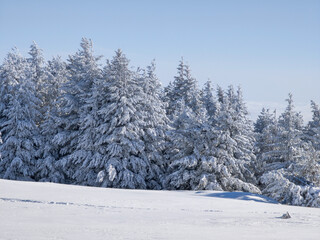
(21, 137)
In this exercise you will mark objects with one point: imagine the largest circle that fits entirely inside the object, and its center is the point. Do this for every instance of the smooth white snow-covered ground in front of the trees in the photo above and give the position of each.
(52, 211)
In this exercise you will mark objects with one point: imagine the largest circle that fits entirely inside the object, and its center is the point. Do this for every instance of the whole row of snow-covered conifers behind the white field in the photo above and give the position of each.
(80, 122)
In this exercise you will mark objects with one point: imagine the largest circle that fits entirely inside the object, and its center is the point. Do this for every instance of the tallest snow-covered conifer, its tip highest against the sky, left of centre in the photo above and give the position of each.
(75, 111)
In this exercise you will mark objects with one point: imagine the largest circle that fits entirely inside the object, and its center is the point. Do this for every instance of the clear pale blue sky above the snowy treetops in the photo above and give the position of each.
(268, 47)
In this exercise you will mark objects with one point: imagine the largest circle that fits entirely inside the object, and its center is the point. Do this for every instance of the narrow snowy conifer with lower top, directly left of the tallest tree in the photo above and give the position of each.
(47, 169)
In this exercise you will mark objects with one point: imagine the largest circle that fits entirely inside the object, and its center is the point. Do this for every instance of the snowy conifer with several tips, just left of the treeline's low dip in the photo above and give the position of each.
(235, 160)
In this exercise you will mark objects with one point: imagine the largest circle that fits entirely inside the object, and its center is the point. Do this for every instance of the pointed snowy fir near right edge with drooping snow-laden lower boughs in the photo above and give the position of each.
(291, 176)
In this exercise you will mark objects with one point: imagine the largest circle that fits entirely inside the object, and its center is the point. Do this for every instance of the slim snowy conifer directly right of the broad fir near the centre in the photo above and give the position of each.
(155, 126)
